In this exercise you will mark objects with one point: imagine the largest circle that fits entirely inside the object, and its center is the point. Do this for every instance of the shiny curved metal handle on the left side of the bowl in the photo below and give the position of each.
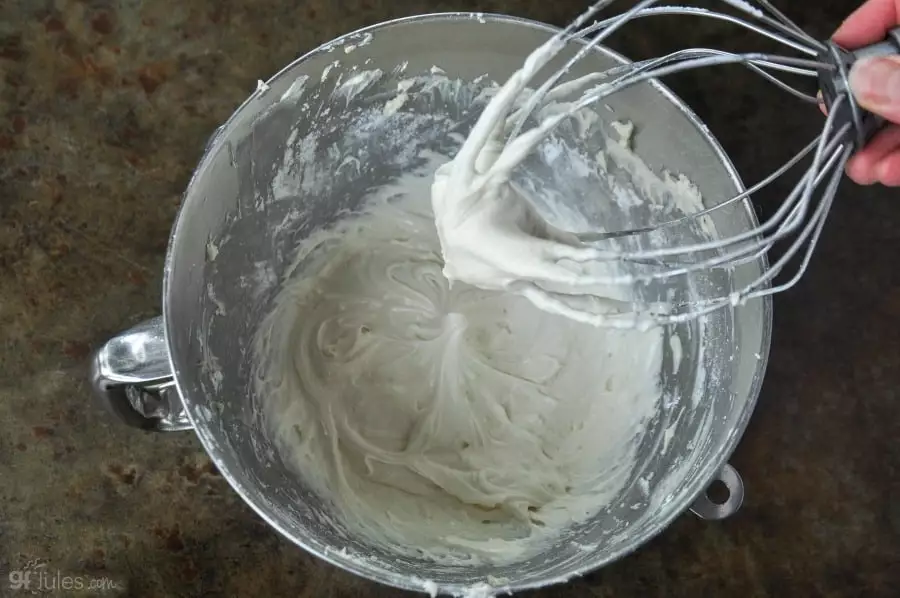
(132, 378)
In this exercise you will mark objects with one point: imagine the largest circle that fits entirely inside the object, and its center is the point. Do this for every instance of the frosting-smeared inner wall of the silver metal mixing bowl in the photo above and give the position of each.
(279, 170)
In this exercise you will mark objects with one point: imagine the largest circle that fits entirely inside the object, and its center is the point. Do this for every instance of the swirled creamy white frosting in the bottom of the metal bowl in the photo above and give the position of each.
(459, 423)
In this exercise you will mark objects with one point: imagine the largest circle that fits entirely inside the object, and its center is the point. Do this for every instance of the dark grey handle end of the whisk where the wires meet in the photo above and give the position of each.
(834, 83)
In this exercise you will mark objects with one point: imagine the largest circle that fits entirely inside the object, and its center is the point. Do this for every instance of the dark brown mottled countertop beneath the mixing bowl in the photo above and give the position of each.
(105, 106)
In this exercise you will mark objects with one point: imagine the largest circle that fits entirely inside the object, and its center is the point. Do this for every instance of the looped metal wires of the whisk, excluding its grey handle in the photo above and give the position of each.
(801, 216)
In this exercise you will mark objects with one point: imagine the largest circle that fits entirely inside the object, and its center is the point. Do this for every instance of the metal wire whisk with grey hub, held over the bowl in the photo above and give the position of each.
(801, 215)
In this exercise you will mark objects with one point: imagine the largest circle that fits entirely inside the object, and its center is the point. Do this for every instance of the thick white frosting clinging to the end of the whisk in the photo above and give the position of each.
(492, 237)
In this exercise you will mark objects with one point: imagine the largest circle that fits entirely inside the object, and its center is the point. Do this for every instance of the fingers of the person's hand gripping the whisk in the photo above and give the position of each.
(876, 85)
